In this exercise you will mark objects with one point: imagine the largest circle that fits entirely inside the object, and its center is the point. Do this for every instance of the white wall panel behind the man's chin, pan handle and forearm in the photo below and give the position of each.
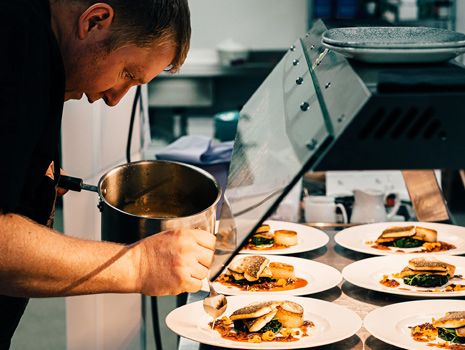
(94, 141)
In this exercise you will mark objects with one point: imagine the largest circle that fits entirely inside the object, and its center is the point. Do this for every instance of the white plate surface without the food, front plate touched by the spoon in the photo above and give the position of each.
(332, 323)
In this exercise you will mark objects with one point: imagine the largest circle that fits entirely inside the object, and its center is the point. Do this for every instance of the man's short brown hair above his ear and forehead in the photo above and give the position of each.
(142, 22)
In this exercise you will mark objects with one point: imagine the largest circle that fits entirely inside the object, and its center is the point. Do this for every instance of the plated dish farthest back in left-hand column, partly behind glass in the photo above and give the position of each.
(279, 237)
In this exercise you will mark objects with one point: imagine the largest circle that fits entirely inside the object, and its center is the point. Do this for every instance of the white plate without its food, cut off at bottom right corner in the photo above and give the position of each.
(390, 323)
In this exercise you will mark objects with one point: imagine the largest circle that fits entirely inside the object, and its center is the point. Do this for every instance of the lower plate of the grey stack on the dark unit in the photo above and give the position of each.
(398, 55)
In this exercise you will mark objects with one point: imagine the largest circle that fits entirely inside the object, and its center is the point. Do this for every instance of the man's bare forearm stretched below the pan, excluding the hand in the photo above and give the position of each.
(37, 262)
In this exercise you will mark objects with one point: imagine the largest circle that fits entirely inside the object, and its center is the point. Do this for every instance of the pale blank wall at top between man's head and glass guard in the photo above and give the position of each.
(257, 24)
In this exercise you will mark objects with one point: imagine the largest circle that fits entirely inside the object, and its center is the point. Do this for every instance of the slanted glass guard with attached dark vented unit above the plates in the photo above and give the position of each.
(319, 111)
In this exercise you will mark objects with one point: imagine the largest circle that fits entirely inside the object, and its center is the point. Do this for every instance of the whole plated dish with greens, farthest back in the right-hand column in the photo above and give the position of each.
(388, 238)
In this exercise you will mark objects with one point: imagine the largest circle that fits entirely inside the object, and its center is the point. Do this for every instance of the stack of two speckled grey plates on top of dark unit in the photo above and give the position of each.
(395, 44)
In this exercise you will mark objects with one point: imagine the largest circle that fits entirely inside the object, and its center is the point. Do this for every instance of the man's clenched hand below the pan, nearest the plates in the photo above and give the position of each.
(174, 262)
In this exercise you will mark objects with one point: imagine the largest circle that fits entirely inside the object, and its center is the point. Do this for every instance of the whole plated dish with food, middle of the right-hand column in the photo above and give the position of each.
(410, 275)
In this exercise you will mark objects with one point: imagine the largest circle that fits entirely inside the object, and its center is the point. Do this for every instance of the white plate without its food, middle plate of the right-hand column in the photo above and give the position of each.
(367, 273)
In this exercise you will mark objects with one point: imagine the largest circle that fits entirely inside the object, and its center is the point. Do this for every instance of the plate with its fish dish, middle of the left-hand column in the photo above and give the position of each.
(279, 275)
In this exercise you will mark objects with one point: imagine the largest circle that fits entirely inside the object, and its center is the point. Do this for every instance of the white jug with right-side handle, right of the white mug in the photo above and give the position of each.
(369, 206)
